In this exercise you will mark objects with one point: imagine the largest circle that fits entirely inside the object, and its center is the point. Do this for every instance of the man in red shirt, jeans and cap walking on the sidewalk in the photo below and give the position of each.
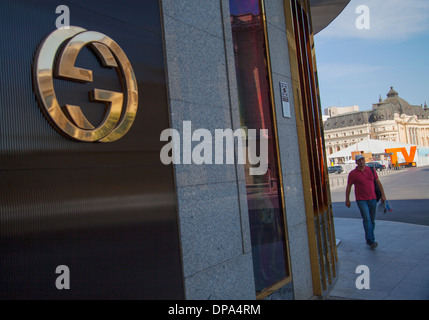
(363, 179)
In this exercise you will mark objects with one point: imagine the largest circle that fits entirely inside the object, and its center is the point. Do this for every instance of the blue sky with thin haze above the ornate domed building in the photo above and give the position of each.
(356, 66)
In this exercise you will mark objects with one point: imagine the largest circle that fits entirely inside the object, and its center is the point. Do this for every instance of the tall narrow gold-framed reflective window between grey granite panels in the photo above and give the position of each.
(265, 203)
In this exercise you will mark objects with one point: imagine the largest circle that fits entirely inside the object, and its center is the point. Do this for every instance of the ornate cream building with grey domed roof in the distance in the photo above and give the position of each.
(392, 119)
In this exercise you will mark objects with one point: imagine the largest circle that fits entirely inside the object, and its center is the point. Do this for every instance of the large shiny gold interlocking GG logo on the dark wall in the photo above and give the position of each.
(70, 119)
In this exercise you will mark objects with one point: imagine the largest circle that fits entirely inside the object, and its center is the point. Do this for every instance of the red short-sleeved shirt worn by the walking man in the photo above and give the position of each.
(364, 183)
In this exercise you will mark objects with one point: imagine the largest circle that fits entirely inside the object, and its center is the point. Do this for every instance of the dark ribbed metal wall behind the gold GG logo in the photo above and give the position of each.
(106, 210)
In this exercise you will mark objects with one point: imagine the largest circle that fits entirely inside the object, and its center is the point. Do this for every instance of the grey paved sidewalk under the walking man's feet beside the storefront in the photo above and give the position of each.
(399, 266)
